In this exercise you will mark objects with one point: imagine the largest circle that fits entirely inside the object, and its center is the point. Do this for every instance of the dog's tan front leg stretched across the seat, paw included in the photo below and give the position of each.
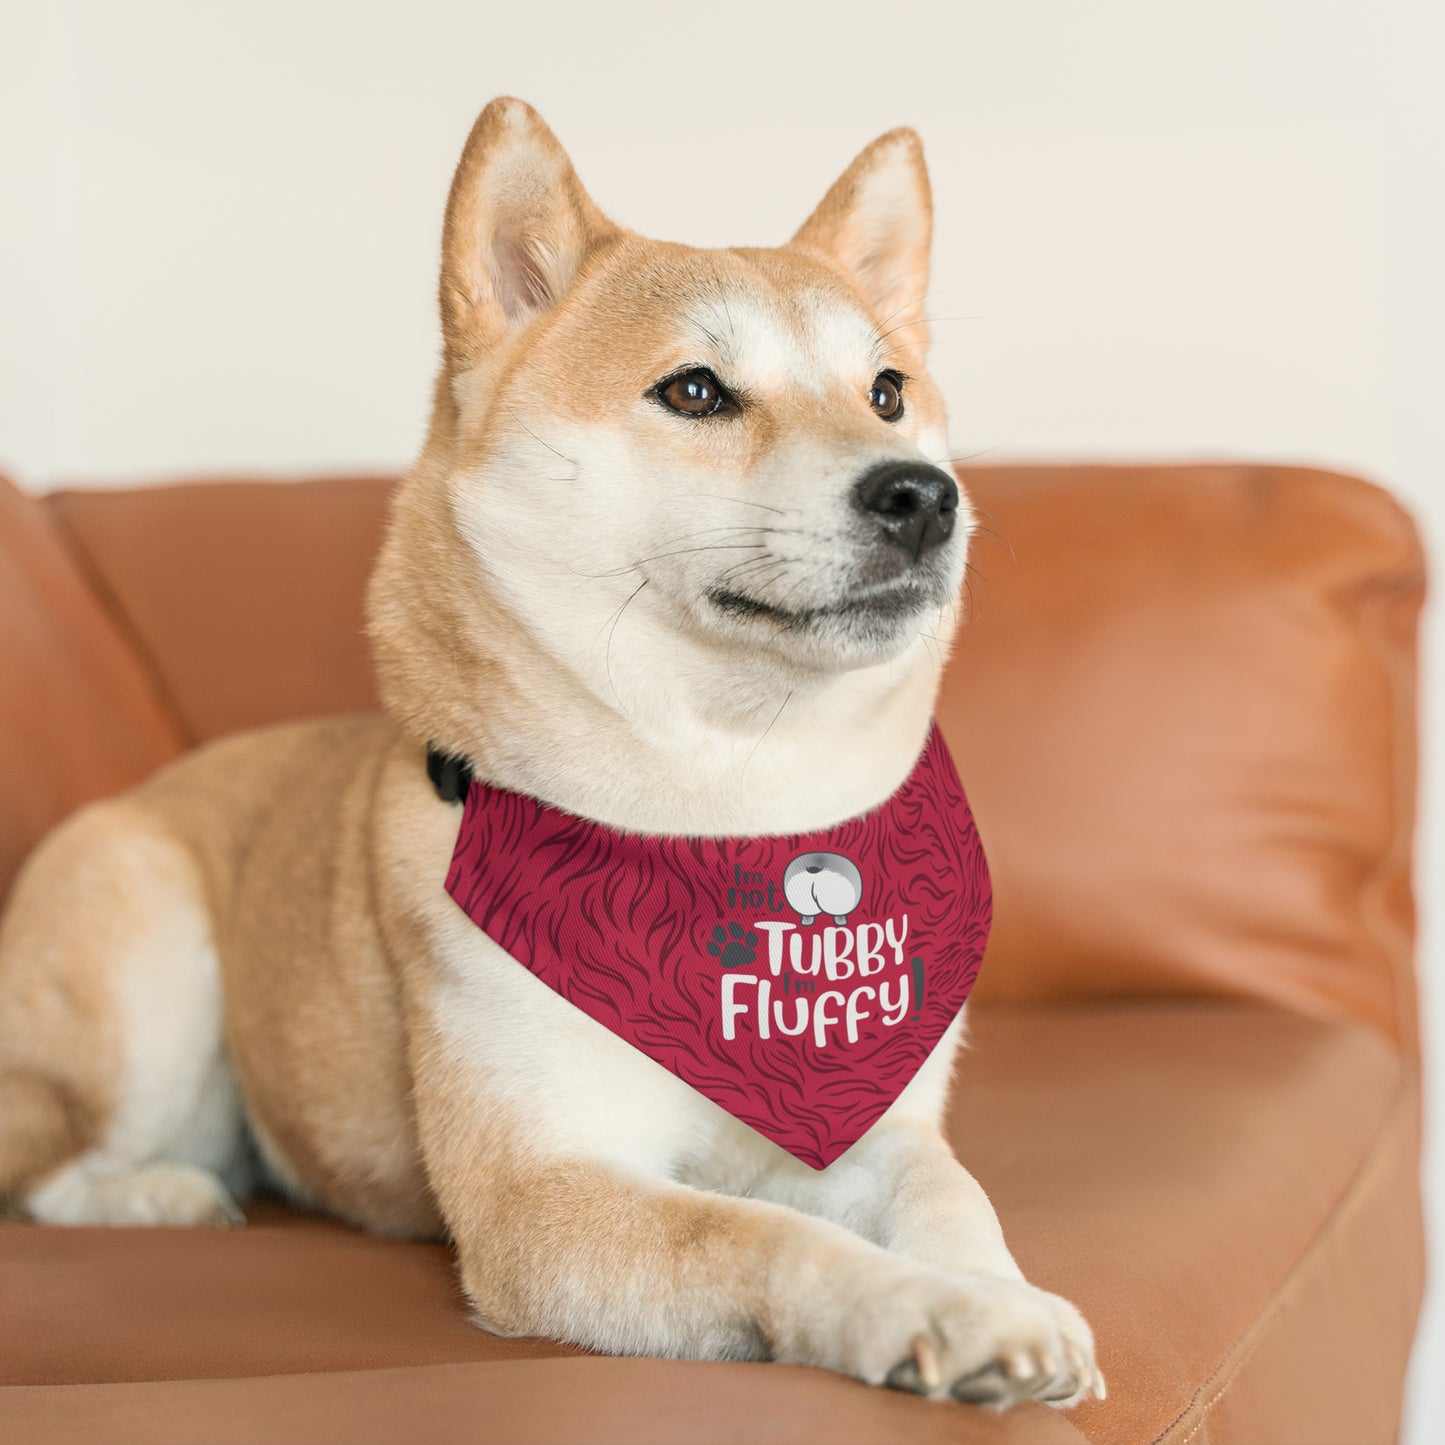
(618, 1259)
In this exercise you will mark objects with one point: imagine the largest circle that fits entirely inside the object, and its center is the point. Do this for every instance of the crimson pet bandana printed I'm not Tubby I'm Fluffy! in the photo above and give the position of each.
(798, 982)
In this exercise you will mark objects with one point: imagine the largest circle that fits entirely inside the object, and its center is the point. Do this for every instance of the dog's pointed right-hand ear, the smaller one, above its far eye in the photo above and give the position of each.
(878, 223)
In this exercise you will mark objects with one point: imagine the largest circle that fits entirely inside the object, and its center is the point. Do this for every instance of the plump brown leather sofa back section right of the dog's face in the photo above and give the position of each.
(1184, 712)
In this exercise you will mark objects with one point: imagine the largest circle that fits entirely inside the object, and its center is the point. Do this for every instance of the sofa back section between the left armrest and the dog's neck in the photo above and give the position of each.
(246, 596)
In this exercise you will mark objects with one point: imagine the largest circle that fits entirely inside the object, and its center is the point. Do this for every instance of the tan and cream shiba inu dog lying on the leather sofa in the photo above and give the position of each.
(677, 557)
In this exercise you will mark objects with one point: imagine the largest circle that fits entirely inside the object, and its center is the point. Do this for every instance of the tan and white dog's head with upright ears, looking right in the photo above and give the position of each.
(654, 457)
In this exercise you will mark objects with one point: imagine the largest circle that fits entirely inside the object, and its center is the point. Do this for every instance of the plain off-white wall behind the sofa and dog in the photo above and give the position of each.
(1164, 229)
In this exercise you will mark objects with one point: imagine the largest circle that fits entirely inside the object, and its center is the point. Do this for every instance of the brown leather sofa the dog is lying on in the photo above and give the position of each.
(1186, 716)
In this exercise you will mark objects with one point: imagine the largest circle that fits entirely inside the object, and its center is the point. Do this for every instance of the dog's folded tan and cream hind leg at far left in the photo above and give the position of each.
(116, 1103)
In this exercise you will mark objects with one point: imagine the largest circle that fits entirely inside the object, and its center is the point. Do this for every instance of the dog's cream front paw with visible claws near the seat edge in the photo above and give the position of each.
(975, 1337)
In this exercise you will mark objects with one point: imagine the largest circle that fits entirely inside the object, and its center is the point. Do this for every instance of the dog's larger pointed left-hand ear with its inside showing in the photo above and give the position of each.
(519, 226)
